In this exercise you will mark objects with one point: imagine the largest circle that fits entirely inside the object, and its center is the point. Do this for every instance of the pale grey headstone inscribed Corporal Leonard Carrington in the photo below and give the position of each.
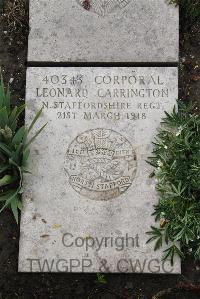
(90, 182)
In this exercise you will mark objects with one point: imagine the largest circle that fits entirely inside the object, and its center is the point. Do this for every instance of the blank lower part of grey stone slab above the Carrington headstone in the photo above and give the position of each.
(103, 31)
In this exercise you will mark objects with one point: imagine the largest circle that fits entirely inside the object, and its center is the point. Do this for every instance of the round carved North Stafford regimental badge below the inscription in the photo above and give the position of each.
(101, 164)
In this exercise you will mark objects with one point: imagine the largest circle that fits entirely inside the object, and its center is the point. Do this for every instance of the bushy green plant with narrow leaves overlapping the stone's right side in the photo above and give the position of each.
(176, 159)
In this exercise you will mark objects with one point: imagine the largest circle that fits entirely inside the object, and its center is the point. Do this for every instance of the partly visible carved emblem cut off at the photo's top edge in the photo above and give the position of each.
(103, 7)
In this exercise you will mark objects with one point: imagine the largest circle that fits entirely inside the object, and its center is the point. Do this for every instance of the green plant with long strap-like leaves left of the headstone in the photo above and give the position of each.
(14, 152)
